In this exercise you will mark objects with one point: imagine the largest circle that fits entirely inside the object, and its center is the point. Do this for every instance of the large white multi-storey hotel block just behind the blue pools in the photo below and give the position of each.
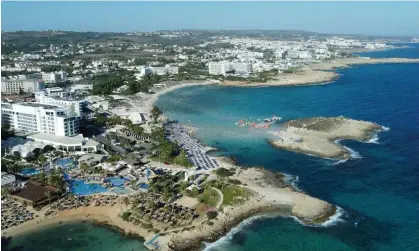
(35, 117)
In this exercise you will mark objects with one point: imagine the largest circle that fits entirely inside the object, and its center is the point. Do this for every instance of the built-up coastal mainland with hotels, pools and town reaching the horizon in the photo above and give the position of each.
(79, 128)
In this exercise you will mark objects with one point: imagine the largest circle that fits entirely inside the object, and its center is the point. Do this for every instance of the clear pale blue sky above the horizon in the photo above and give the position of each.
(375, 18)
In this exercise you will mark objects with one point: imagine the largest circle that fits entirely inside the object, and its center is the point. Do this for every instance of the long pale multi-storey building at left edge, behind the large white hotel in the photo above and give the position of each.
(14, 86)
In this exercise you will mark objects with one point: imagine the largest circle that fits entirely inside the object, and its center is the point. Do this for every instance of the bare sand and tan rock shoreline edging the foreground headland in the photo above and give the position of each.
(268, 194)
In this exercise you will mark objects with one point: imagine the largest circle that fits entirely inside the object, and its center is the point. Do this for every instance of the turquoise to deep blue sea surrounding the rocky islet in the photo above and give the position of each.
(378, 190)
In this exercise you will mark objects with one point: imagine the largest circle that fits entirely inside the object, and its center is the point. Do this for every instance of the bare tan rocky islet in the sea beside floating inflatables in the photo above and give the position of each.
(318, 135)
